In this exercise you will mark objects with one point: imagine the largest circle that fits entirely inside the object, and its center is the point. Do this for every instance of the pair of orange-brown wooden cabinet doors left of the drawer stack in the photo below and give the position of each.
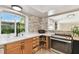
(22, 47)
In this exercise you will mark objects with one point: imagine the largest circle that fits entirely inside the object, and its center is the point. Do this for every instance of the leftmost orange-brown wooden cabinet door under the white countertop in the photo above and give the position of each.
(13, 48)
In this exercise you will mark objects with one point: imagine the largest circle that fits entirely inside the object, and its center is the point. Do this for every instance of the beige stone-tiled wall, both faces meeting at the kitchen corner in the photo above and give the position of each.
(36, 23)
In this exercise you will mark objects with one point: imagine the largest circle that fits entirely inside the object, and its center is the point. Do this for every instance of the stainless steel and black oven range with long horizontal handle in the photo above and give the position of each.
(62, 43)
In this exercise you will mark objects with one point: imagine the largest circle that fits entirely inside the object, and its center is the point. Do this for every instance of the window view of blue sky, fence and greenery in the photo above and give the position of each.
(8, 23)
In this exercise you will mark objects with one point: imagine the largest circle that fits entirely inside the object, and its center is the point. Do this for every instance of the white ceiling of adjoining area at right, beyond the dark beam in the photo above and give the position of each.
(67, 17)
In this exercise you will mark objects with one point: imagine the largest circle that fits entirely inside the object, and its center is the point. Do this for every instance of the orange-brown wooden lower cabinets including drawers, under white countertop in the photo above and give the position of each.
(27, 46)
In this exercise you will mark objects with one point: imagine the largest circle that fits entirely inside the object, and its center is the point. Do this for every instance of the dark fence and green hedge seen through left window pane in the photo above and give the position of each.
(7, 28)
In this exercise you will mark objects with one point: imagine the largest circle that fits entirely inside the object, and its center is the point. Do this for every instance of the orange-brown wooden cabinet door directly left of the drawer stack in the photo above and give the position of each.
(27, 46)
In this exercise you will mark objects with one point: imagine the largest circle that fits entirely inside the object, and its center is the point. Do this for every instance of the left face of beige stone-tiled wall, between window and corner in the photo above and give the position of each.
(33, 23)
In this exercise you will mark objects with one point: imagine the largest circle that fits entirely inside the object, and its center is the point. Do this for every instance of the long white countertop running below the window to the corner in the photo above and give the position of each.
(25, 36)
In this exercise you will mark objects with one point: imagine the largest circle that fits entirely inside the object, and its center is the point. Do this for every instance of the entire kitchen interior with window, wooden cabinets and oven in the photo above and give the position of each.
(39, 29)
